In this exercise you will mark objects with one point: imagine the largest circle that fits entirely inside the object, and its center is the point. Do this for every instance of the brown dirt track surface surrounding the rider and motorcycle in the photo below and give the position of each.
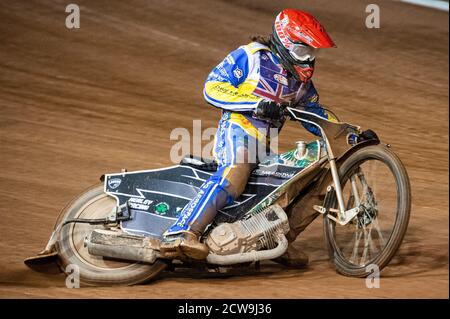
(75, 104)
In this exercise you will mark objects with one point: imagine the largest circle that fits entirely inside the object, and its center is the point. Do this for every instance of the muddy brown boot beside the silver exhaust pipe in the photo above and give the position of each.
(185, 244)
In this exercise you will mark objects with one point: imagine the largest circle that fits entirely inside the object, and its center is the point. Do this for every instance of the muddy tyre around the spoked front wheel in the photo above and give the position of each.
(384, 154)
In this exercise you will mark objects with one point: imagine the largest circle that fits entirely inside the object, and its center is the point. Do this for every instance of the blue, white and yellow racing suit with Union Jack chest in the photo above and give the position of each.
(246, 76)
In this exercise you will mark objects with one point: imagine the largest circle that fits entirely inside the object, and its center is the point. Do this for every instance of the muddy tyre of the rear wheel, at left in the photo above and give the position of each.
(89, 276)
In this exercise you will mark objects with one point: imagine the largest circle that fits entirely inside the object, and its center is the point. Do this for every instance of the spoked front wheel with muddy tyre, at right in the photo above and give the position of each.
(375, 180)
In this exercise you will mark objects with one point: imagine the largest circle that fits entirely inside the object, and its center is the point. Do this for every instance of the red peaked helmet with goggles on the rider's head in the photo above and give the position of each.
(296, 37)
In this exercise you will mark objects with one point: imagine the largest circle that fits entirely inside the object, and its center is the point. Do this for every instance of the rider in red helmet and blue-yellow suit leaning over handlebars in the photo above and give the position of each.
(251, 86)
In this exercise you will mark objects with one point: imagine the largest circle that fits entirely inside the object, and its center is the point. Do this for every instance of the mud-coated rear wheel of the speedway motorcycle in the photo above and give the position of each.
(96, 270)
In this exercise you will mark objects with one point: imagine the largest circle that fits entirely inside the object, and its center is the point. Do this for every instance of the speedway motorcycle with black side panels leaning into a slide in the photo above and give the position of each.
(112, 231)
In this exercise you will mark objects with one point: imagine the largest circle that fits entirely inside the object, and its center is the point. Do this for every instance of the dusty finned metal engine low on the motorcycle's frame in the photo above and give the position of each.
(256, 232)
